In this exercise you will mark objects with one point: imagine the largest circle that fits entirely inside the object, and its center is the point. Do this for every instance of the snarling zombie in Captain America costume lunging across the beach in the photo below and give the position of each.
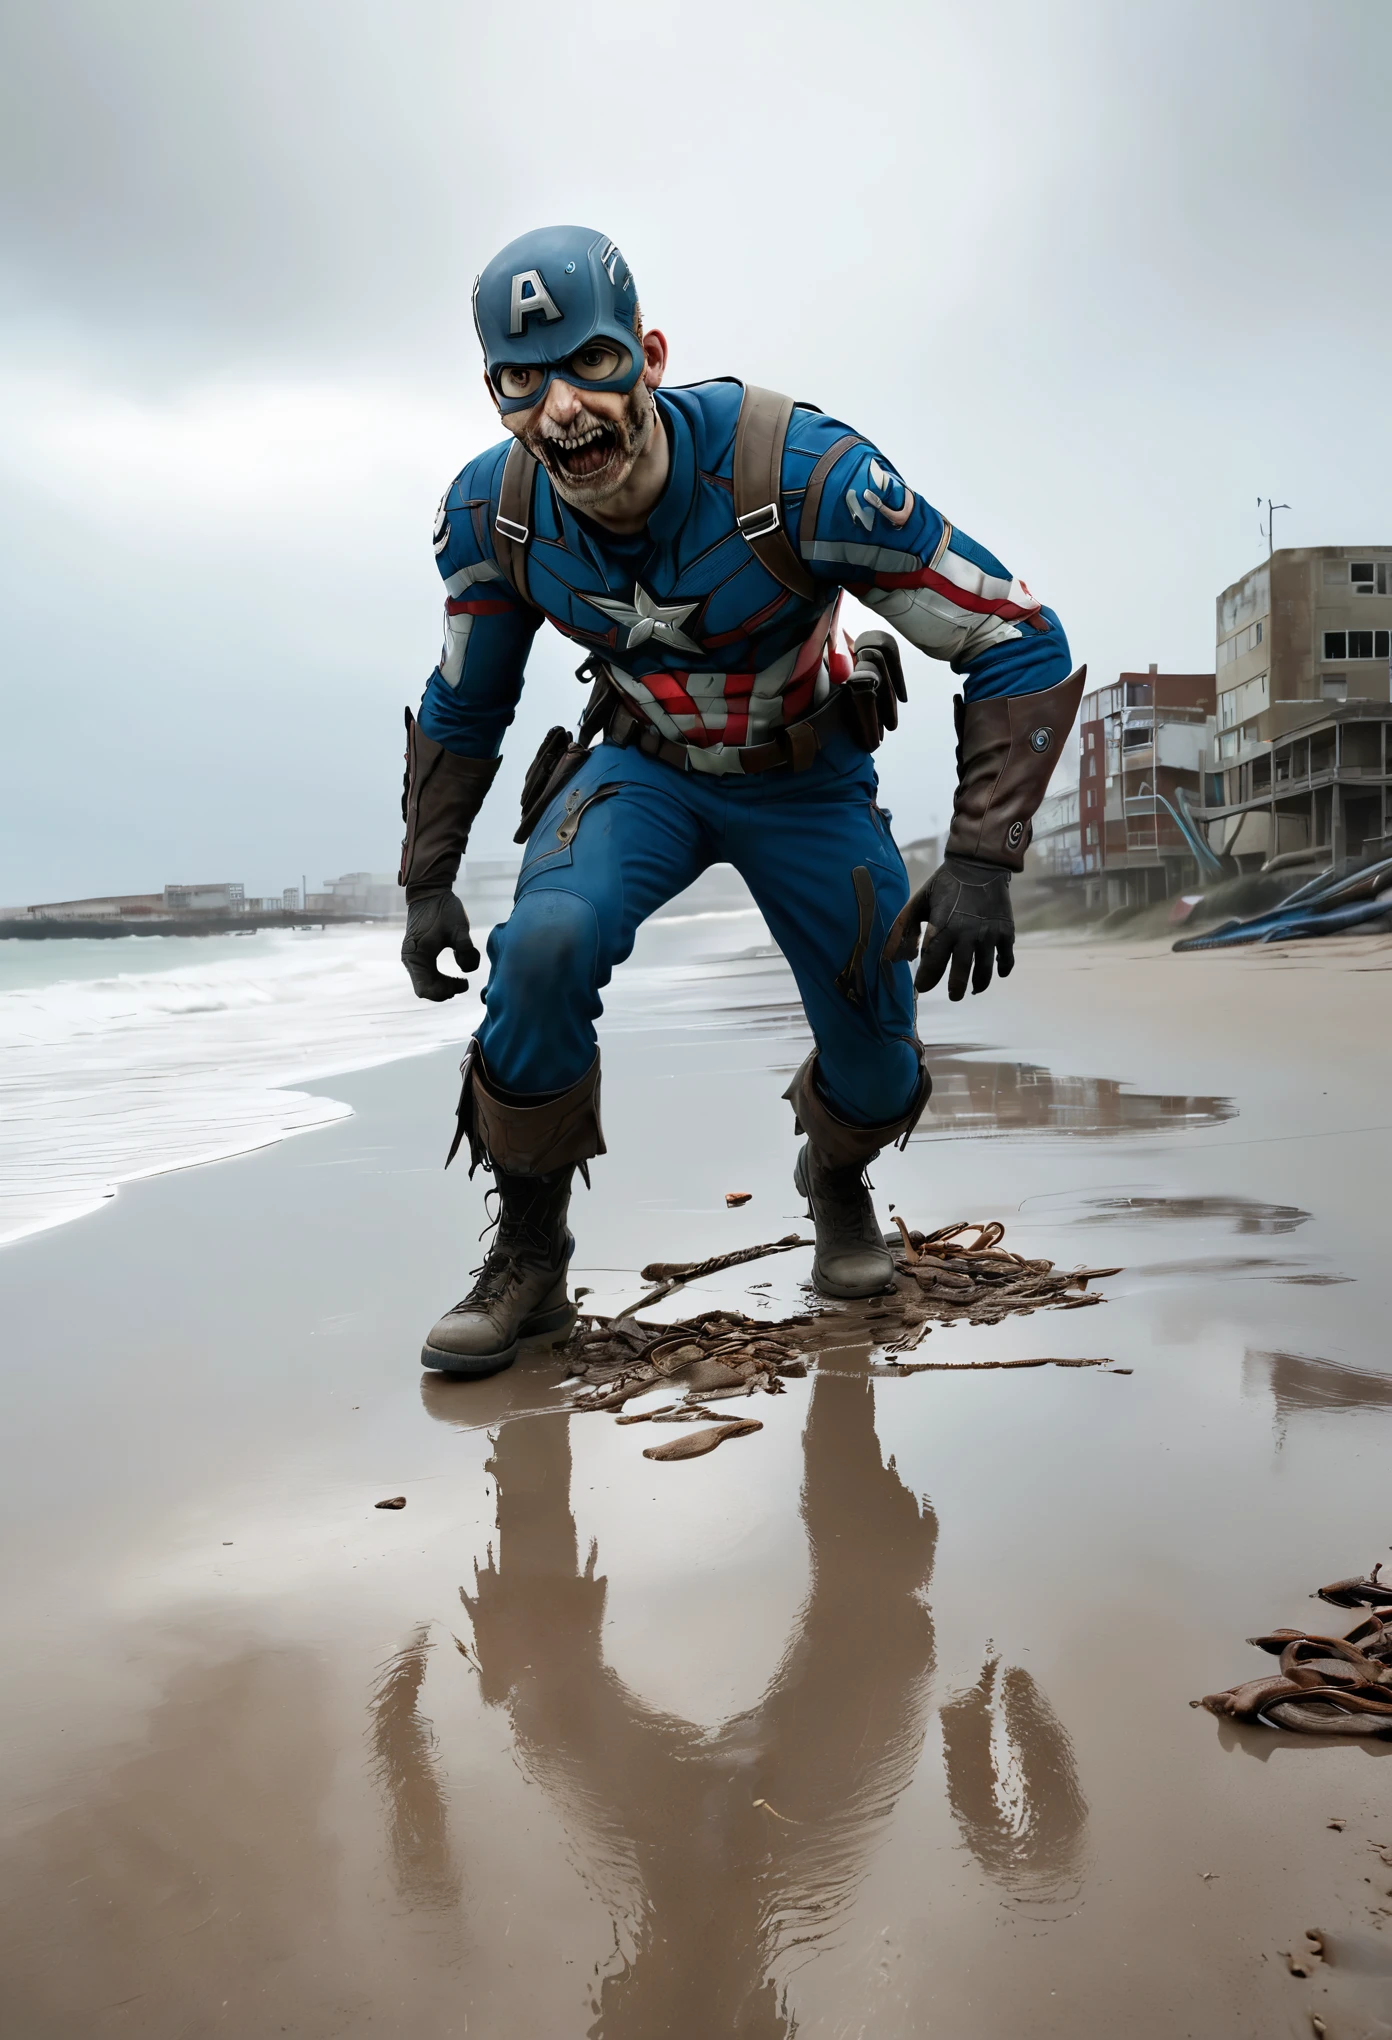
(695, 546)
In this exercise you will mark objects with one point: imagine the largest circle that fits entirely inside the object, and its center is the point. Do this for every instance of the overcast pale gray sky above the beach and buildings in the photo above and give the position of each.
(1095, 274)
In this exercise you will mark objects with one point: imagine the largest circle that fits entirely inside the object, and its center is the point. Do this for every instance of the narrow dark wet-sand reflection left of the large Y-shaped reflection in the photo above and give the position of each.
(405, 1753)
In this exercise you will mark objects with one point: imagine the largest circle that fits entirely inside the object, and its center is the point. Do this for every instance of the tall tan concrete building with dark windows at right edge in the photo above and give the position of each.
(1301, 764)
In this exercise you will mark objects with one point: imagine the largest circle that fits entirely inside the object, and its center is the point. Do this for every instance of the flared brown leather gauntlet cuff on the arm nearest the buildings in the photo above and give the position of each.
(1007, 752)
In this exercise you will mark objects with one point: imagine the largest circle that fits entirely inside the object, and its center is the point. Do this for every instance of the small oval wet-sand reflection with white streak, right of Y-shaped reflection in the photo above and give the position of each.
(1013, 1784)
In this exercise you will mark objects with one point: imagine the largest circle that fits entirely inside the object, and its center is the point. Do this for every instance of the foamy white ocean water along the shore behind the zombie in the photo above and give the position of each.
(138, 1056)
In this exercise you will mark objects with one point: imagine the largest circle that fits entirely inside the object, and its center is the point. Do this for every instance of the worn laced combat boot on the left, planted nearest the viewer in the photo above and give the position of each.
(521, 1288)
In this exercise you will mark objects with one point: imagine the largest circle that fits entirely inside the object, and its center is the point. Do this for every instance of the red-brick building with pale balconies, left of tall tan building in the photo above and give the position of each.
(1140, 746)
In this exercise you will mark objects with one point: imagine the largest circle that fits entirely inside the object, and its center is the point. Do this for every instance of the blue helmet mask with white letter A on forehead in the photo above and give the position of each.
(544, 299)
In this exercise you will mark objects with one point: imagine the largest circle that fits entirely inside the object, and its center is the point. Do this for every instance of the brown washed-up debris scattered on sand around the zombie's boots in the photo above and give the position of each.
(954, 1276)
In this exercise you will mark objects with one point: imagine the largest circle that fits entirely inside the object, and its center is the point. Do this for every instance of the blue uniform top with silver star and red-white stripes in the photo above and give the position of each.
(695, 631)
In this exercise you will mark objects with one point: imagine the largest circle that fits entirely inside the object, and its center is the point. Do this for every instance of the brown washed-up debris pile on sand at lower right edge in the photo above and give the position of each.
(1328, 1686)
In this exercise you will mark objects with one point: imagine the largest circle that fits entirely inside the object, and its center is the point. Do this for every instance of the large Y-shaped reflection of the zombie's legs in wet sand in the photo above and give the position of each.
(719, 1851)
